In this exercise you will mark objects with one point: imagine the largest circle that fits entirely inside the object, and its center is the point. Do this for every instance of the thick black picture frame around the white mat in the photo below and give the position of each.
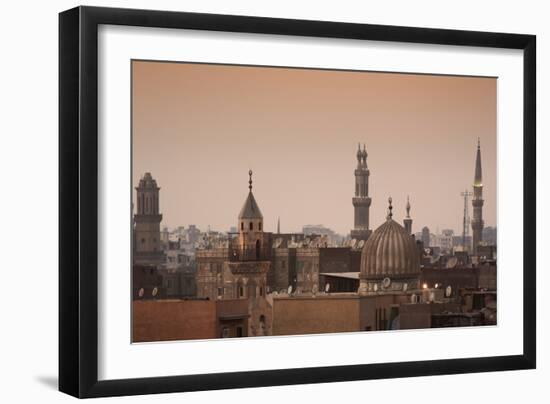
(78, 200)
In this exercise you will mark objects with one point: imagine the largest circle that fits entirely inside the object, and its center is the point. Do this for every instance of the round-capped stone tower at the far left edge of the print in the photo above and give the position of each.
(147, 244)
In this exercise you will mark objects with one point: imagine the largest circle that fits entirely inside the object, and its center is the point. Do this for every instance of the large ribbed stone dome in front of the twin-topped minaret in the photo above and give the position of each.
(389, 252)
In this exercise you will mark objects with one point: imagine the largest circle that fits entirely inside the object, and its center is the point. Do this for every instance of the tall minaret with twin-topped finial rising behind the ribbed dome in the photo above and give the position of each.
(361, 201)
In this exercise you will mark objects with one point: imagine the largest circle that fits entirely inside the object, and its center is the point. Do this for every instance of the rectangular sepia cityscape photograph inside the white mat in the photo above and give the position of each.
(271, 201)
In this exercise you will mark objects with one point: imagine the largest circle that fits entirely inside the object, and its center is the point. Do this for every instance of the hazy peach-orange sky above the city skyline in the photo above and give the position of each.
(199, 128)
